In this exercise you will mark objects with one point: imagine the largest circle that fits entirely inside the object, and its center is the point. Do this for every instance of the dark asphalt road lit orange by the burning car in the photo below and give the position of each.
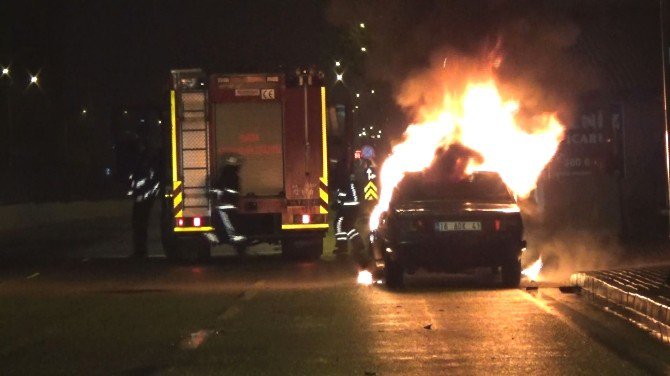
(80, 308)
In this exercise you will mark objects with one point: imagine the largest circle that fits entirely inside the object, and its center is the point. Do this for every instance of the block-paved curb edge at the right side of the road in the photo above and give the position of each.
(644, 311)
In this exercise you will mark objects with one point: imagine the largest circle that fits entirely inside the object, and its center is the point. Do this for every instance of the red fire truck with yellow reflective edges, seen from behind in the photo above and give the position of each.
(278, 124)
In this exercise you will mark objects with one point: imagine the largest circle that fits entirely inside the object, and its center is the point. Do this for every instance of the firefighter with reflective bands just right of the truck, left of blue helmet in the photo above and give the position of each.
(348, 200)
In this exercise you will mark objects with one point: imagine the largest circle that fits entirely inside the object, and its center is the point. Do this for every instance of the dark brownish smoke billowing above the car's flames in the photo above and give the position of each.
(411, 44)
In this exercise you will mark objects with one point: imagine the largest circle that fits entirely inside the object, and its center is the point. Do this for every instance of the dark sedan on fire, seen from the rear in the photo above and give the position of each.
(445, 224)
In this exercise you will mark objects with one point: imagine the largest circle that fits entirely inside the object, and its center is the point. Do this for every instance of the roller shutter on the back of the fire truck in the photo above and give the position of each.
(253, 130)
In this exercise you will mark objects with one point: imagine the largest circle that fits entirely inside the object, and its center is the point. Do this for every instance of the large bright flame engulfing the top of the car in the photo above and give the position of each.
(516, 146)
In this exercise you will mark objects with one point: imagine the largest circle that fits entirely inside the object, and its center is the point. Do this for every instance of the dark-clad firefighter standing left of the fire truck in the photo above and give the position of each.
(145, 184)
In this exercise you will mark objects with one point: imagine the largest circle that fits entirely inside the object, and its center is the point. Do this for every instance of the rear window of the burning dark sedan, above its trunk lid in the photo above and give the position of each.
(478, 187)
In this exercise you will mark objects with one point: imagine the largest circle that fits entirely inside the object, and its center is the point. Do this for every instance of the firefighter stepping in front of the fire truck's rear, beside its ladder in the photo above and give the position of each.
(227, 191)
